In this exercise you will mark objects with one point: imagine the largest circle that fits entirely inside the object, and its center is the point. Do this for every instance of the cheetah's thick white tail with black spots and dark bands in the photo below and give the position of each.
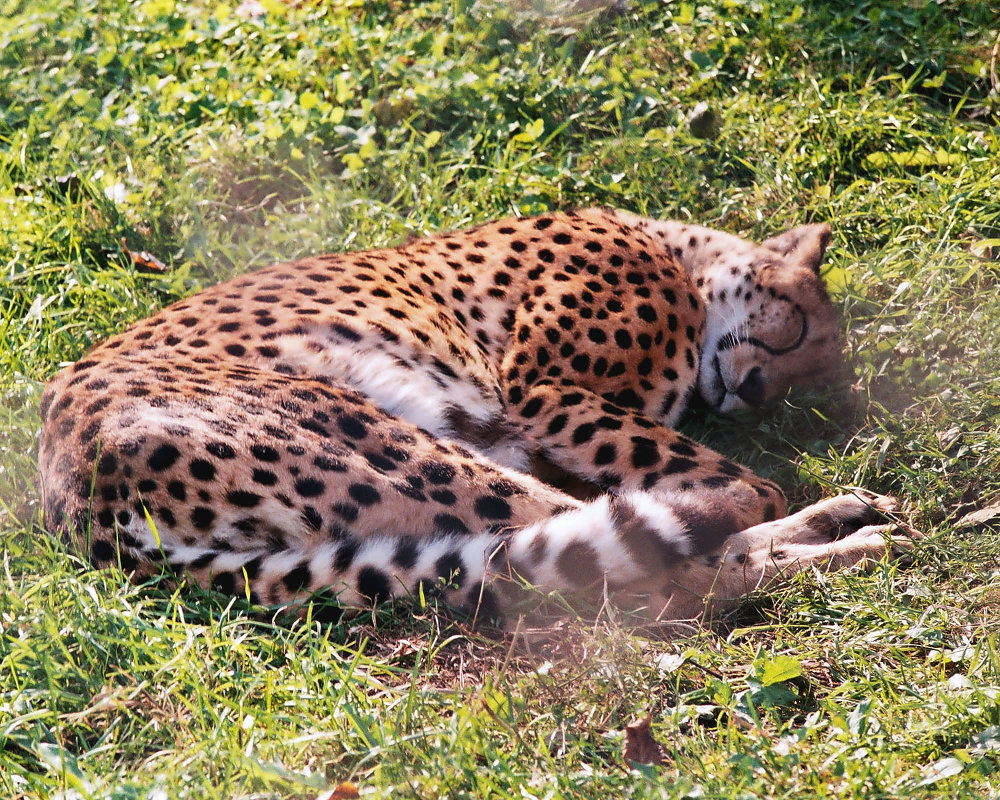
(619, 539)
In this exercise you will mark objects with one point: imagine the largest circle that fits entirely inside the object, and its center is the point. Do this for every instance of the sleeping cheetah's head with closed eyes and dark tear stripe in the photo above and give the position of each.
(770, 323)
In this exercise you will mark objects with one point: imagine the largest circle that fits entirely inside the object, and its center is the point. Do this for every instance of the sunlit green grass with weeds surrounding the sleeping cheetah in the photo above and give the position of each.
(219, 143)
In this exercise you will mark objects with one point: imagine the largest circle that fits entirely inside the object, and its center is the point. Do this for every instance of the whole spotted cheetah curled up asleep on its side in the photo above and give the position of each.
(364, 425)
